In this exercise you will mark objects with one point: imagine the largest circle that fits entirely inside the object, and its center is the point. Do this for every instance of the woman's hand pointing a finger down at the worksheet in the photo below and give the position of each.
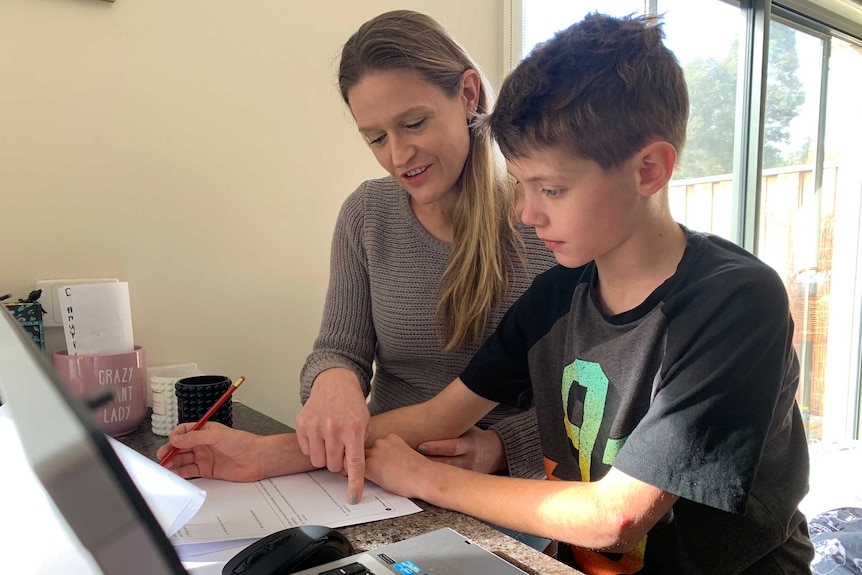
(332, 427)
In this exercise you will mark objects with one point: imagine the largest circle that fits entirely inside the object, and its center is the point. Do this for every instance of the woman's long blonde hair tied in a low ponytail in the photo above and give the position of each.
(485, 239)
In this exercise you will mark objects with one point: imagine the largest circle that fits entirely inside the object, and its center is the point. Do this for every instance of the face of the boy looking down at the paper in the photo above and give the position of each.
(579, 210)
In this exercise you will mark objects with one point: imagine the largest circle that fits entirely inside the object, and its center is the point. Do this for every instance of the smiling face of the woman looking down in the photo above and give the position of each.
(417, 132)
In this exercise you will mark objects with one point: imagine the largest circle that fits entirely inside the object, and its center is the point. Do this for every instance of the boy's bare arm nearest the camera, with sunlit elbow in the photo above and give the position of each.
(613, 514)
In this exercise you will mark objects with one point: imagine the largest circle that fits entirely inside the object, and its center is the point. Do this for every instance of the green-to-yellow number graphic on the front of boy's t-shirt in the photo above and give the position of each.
(591, 377)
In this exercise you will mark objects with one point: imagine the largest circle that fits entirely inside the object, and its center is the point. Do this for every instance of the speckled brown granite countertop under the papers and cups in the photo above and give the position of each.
(367, 536)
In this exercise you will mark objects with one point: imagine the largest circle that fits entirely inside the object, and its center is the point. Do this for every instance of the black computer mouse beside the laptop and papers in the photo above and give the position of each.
(290, 550)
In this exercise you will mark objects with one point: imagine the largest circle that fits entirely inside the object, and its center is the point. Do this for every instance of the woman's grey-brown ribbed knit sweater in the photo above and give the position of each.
(379, 315)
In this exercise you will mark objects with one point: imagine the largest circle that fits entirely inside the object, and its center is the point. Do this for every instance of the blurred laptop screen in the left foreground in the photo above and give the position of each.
(77, 466)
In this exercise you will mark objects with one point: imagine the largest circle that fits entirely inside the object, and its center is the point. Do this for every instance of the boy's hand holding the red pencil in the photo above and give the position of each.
(216, 451)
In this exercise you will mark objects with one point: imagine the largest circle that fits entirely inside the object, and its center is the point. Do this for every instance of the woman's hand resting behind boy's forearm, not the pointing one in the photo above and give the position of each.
(477, 450)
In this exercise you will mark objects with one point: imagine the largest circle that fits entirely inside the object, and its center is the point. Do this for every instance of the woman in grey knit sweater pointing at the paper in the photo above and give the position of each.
(424, 262)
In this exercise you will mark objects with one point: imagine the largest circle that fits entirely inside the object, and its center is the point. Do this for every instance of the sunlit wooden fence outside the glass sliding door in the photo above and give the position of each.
(794, 241)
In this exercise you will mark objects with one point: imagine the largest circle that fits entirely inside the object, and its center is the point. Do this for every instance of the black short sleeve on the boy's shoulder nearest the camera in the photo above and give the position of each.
(728, 372)
